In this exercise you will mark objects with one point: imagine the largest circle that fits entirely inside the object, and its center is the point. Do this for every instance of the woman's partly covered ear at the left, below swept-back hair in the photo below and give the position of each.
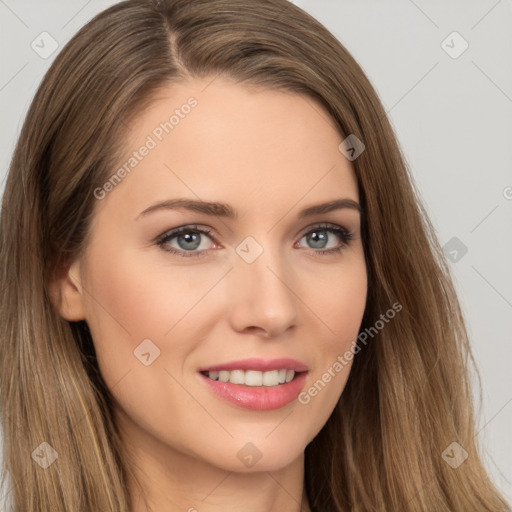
(67, 293)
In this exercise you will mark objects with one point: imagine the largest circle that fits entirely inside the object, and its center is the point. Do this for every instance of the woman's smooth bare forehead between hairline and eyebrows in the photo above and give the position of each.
(215, 139)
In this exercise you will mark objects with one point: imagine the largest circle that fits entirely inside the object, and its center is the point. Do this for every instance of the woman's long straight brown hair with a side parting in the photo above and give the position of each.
(408, 396)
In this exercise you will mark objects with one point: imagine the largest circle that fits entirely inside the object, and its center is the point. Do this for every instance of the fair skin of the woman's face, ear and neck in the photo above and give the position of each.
(267, 154)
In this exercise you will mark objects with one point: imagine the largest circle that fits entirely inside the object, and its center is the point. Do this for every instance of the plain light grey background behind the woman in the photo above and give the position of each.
(453, 118)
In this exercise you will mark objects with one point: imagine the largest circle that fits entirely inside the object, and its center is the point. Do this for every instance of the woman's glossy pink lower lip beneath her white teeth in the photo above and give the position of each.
(260, 398)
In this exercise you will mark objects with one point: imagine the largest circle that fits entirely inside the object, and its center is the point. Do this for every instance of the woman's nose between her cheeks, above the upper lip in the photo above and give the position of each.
(262, 297)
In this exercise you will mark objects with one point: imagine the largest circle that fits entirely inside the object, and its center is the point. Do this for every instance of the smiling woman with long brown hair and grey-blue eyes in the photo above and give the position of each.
(186, 174)
